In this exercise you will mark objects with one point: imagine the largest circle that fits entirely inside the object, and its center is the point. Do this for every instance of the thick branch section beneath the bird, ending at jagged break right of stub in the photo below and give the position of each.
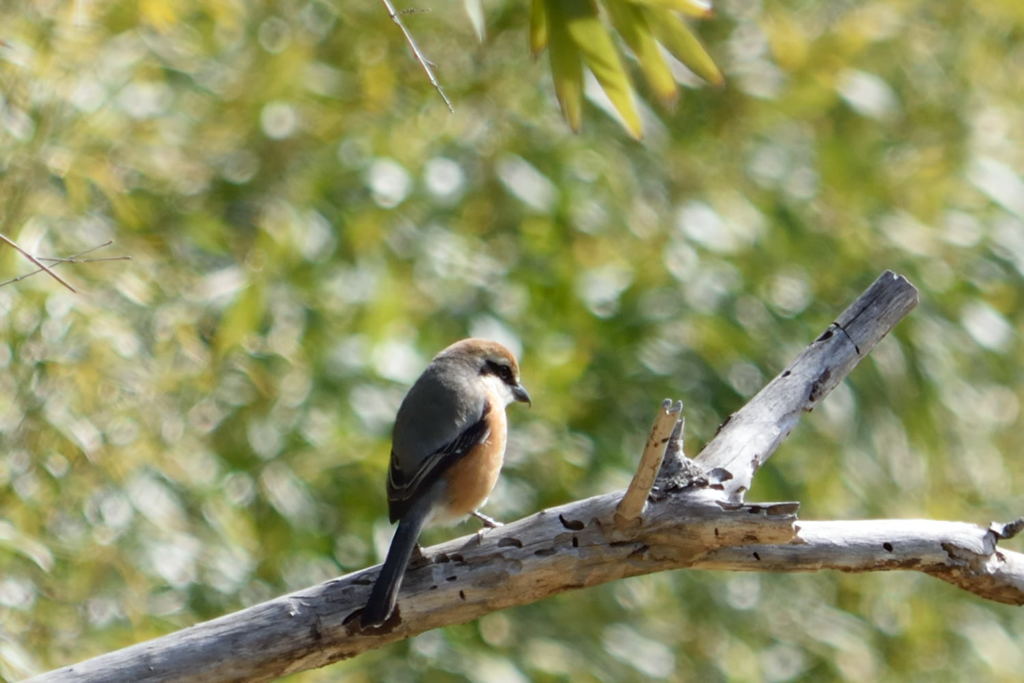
(574, 546)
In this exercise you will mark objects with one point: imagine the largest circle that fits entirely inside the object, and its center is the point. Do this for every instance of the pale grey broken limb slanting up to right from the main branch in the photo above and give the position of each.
(751, 436)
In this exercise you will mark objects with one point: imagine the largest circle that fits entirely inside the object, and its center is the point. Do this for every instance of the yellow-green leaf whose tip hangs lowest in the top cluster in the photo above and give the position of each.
(601, 56)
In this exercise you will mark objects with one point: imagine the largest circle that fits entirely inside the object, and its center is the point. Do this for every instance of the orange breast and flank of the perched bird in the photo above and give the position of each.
(473, 479)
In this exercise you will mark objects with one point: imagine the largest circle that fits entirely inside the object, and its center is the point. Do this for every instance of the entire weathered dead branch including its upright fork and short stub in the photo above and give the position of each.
(692, 523)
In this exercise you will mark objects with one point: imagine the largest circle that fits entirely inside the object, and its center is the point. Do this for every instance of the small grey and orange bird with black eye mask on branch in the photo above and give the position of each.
(448, 447)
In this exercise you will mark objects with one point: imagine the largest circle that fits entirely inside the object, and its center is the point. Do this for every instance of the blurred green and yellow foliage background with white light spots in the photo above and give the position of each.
(205, 426)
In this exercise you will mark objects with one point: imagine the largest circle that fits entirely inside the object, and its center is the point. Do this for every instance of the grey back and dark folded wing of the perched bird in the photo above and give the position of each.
(436, 426)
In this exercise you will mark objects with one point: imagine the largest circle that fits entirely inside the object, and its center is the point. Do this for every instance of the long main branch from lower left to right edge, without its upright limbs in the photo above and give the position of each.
(575, 546)
